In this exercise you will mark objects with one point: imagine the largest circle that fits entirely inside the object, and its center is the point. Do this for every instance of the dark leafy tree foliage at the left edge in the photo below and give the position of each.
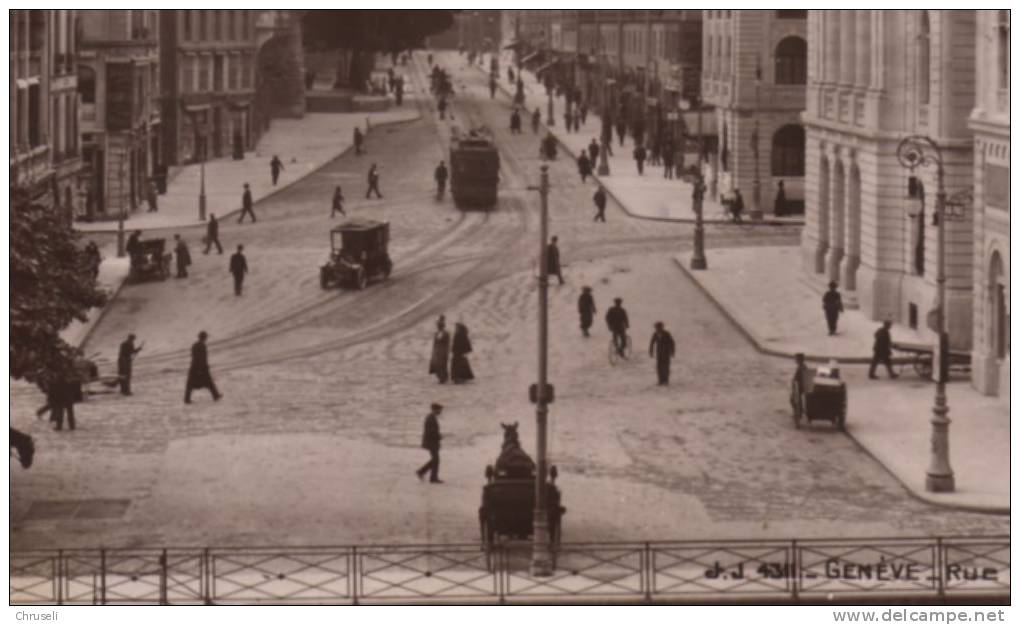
(50, 286)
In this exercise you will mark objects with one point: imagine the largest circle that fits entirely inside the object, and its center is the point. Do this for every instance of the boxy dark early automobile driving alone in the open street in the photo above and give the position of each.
(359, 254)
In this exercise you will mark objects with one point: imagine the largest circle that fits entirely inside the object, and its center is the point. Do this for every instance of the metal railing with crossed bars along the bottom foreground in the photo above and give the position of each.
(937, 569)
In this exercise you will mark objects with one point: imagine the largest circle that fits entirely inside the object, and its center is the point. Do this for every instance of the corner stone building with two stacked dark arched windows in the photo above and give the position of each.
(754, 73)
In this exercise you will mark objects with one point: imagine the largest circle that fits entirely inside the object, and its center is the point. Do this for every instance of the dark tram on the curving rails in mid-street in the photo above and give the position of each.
(475, 170)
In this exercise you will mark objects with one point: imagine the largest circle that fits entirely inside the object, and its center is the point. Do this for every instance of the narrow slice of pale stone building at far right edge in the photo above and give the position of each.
(991, 124)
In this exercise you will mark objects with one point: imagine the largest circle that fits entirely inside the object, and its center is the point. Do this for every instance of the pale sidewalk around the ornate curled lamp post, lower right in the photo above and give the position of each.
(761, 291)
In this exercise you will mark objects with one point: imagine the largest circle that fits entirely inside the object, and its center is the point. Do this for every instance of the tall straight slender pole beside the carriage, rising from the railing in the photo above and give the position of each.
(542, 561)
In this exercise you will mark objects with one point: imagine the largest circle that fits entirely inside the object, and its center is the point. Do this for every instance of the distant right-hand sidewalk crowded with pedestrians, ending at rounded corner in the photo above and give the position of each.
(669, 200)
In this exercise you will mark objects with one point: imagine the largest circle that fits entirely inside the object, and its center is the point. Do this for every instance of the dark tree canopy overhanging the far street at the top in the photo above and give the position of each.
(374, 30)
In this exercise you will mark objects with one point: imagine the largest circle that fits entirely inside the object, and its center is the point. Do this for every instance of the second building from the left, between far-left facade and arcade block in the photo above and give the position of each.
(119, 89)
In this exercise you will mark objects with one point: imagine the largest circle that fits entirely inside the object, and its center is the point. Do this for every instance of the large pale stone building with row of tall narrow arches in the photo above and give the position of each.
(876, 77)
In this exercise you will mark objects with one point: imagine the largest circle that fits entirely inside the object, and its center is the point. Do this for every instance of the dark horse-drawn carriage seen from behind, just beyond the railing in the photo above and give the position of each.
(508, 498)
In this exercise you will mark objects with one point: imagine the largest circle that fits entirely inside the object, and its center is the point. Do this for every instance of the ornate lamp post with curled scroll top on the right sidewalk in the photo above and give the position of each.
(920, 151)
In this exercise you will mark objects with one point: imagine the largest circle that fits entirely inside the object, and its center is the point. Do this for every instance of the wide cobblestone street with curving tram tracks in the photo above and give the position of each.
(319, 434)
